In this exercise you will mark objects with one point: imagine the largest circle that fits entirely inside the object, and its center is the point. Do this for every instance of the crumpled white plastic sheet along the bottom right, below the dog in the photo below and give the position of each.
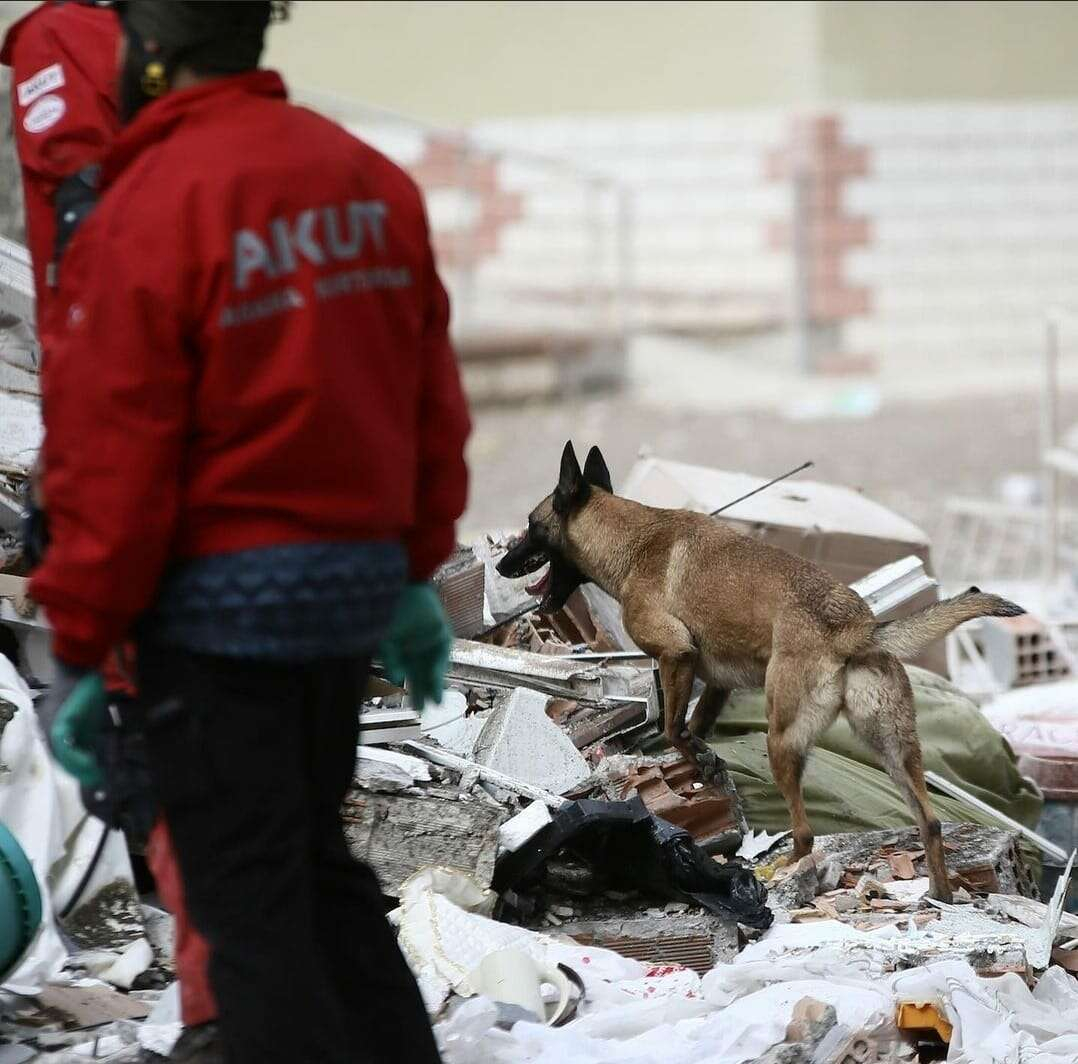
(740, 1011)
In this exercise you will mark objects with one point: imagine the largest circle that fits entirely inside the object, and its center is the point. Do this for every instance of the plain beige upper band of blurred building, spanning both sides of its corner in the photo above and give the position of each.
(455, 62)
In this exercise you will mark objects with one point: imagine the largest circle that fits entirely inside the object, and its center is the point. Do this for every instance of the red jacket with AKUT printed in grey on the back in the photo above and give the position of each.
(255, 352)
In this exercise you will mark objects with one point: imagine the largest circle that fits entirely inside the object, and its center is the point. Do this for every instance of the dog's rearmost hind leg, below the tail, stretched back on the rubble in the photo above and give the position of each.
(880, 707)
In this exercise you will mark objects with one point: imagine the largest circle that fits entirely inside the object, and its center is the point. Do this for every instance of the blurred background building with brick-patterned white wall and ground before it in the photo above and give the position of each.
(741, 233)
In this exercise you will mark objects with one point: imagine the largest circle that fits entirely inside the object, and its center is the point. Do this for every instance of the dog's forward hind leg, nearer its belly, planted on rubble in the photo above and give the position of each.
(803, 702)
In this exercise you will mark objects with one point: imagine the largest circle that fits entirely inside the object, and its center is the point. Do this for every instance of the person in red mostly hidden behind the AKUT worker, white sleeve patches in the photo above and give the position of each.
(63, 59)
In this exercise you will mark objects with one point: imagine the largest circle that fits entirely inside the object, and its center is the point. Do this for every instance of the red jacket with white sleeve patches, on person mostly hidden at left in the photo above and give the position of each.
(63, 59)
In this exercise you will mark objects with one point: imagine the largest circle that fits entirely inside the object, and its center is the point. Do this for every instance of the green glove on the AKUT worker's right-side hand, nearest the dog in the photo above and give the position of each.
(417, 647)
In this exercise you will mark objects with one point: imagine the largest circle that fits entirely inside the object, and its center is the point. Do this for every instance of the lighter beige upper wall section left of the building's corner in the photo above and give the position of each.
(454, 62)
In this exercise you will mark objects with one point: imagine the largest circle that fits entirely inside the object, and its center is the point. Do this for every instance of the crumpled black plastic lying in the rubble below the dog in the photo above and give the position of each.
(623, 847)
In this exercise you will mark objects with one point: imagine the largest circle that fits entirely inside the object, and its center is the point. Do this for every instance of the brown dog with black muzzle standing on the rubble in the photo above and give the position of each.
(708, 601)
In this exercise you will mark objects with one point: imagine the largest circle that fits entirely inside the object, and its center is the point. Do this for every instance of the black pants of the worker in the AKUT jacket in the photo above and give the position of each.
(251, 764)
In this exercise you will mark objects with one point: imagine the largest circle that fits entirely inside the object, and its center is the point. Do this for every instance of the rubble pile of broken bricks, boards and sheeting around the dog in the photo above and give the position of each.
(569, 892)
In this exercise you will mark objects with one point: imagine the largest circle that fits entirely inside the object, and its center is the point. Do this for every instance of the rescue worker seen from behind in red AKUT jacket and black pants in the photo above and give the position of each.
(255, 461)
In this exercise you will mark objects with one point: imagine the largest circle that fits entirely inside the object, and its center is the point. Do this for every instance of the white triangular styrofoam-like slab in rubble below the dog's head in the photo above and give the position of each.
(521, 741)
